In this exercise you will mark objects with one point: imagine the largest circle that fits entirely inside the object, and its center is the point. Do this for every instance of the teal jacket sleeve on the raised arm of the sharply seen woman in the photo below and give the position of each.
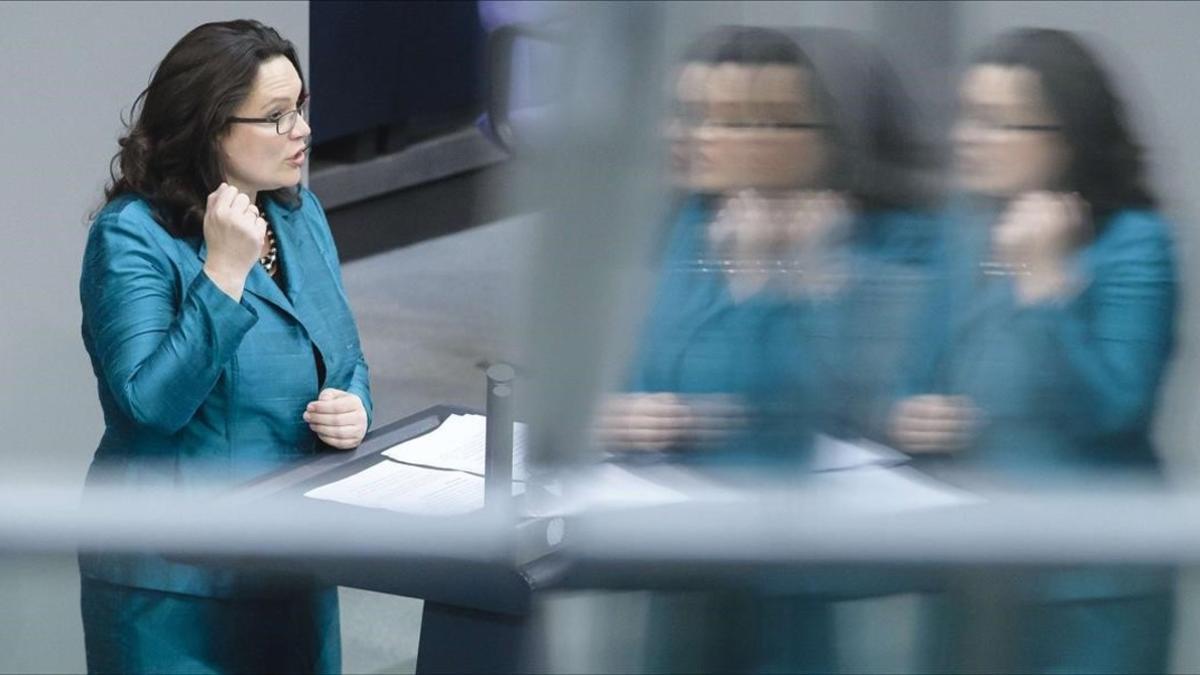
(160, 347)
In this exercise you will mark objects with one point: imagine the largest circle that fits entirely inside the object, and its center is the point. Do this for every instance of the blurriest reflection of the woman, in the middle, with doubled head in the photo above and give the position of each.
(797, 208)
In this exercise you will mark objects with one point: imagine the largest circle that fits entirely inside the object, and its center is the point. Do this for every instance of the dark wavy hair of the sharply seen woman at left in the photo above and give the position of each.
(171, 152)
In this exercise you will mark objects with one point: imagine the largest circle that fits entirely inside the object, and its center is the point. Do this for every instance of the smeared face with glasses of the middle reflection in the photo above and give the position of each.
(747, 127)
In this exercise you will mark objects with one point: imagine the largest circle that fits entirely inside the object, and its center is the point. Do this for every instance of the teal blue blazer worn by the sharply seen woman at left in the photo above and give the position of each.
(199, 390)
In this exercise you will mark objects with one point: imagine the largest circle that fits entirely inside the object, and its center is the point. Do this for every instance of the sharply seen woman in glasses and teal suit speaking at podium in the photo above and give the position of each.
(224, 347)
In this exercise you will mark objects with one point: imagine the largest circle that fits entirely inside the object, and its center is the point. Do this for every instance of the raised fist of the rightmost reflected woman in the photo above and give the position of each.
(1036, 237)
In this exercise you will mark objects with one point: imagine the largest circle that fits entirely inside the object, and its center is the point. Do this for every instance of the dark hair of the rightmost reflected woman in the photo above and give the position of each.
(1107, 166)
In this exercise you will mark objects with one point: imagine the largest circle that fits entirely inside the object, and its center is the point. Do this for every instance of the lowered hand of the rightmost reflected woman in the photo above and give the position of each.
(934, 425)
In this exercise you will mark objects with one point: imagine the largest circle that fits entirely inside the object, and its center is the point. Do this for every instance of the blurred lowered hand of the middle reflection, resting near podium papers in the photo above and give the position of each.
(663, 421)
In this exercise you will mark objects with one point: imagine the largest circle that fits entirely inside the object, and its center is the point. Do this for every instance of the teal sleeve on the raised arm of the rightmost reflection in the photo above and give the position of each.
(1107, 350)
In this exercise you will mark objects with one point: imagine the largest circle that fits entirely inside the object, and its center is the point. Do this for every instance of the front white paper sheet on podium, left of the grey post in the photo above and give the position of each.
(409, 489)
